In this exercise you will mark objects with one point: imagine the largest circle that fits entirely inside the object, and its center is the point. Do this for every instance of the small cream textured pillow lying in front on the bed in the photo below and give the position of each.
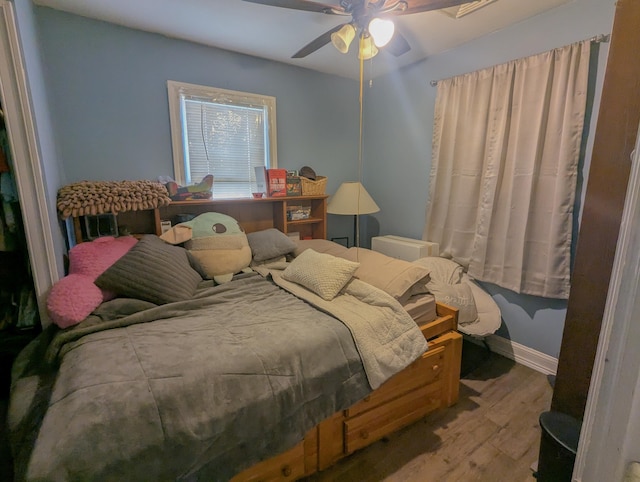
(321, 273)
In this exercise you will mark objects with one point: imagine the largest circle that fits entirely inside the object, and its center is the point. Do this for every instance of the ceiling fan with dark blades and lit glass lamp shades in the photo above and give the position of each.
(362, 13)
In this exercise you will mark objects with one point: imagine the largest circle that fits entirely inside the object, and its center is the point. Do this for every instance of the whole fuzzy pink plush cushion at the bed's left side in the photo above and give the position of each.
(75, 296)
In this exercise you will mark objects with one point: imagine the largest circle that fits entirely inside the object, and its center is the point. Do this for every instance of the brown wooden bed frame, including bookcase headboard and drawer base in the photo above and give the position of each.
(430, 383)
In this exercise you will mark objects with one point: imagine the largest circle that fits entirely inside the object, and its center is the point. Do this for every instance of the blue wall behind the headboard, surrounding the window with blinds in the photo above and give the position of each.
(108, 93)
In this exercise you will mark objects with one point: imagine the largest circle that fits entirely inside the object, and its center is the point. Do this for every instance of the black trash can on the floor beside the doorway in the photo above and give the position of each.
(558, 446)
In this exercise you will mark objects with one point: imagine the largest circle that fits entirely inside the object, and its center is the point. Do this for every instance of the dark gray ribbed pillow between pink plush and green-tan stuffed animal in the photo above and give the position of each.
(152, 271)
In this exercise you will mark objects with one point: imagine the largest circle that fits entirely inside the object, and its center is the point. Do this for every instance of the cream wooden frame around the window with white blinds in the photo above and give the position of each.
(176, 90)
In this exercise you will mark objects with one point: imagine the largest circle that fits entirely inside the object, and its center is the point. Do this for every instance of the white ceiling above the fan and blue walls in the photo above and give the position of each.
(277, 33)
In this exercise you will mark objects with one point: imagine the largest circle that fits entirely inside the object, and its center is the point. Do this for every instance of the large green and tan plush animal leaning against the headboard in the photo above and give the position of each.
(216, 241)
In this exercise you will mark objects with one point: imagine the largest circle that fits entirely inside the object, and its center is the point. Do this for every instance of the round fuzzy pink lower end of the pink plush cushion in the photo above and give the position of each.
(72, 299)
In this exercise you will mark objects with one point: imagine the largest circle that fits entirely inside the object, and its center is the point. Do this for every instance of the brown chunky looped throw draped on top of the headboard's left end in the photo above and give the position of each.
(99, 197)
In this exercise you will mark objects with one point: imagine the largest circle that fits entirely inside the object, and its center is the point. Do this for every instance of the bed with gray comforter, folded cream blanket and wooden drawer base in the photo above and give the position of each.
(259, 378)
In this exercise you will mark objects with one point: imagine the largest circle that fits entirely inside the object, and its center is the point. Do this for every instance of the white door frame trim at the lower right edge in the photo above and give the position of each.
(610, 430)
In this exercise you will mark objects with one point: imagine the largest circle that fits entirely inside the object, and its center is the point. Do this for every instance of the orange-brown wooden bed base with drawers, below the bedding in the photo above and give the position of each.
(430, 383)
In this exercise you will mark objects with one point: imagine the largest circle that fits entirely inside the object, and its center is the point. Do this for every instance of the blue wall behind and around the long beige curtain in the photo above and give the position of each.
(399, 113)
